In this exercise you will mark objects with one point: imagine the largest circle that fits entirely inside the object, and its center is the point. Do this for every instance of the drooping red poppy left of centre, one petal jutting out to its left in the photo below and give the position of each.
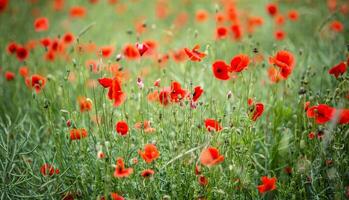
(115, 93)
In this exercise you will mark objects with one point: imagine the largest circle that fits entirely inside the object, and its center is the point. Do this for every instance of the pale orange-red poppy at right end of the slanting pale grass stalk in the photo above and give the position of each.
(210, 157)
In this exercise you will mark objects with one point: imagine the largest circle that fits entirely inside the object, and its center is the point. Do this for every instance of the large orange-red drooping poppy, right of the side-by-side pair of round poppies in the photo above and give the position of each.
(285, 61)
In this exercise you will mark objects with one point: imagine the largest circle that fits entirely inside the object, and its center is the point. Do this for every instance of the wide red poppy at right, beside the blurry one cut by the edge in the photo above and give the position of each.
(322, 113)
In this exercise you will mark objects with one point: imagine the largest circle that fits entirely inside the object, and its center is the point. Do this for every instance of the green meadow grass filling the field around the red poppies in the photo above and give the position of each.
(33, 127)
